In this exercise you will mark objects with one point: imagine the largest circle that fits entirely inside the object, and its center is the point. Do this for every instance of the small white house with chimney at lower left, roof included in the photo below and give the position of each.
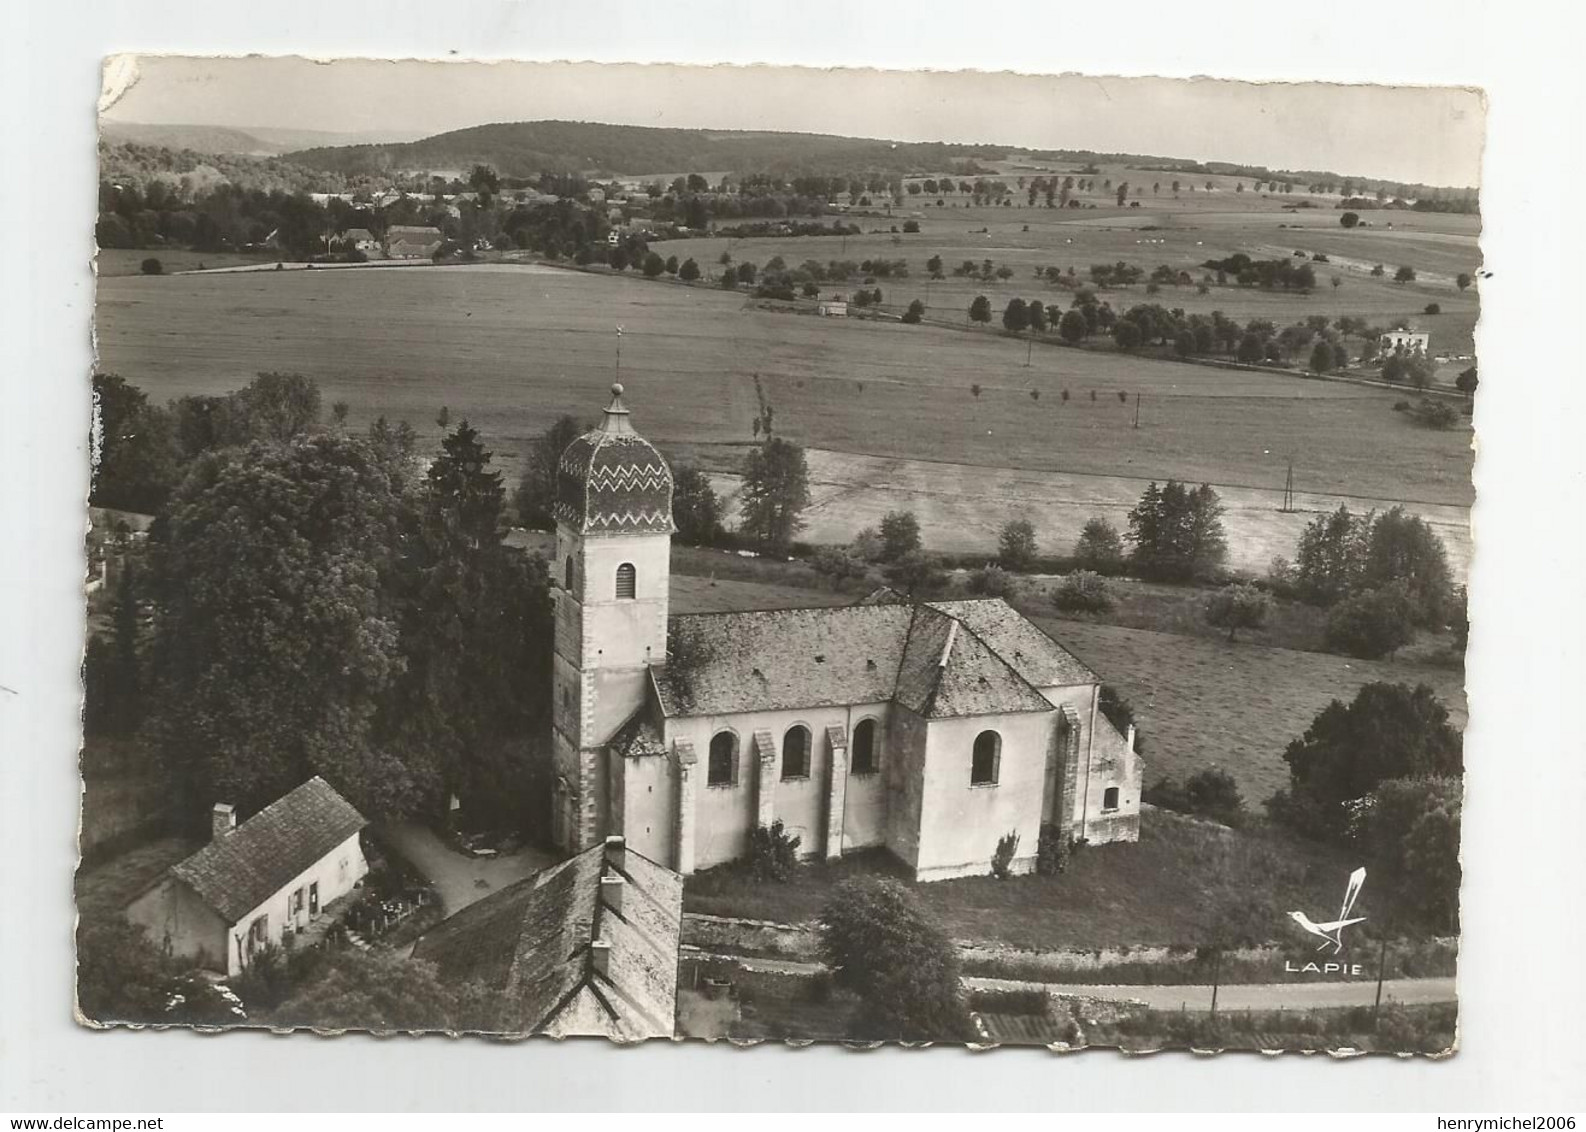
(259, 882)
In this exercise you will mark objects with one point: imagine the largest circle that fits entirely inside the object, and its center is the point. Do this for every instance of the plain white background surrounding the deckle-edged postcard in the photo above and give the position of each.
(1522, 966)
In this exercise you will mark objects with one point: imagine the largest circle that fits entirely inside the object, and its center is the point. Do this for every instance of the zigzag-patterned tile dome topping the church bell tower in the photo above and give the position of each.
(611, 480)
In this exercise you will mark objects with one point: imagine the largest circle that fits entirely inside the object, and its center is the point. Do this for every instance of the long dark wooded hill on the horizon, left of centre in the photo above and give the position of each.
(521, 150)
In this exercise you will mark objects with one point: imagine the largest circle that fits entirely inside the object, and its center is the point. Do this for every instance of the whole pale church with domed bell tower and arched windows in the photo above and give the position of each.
(932, 730)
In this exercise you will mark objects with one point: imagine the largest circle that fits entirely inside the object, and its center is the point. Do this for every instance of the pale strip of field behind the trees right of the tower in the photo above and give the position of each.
(962, 508)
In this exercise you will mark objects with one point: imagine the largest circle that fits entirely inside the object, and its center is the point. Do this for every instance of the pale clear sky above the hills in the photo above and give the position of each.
(1430, 136)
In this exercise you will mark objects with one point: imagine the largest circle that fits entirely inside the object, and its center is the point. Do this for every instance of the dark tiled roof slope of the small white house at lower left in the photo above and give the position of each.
(242, 870)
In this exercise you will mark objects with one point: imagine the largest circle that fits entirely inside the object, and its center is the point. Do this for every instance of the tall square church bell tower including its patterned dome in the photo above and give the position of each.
(611, 576)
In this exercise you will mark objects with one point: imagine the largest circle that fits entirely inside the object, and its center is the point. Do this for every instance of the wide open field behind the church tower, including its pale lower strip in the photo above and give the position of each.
(889, 408)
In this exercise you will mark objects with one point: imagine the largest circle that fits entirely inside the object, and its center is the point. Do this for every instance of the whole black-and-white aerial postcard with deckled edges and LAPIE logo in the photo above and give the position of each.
(759, 554)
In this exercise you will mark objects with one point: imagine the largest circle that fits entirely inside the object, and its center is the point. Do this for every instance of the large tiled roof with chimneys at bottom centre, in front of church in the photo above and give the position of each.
(531, 944)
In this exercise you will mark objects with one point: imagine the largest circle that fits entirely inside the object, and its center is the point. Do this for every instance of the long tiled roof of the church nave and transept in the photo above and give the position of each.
(940, 660)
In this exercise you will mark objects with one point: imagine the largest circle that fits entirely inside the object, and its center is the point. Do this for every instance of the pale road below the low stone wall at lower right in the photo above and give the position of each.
(1246, 996)
